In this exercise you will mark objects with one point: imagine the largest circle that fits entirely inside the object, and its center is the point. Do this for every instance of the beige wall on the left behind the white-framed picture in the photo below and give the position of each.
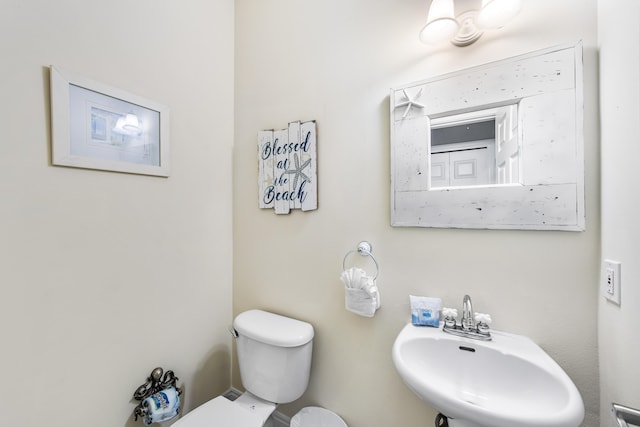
(105, 276)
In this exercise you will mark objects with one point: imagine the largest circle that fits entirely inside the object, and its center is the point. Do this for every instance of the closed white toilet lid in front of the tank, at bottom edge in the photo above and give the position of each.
(220, 412)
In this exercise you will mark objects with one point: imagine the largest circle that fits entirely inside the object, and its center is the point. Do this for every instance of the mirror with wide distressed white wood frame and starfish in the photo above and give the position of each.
(497, 146)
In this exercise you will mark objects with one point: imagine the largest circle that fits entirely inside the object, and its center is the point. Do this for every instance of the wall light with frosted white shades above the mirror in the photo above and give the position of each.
(466, 27)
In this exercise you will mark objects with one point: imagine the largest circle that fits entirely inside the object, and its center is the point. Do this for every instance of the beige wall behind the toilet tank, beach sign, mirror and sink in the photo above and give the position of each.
(334, 62)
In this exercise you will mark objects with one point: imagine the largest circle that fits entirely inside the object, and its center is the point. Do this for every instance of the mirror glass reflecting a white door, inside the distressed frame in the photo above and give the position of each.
(479, 148)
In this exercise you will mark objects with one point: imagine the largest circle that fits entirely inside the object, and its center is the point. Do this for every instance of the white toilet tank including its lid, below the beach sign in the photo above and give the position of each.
(274, 354)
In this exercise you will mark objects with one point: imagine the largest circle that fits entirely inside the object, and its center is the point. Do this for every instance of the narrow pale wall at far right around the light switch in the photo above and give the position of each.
(619, 42)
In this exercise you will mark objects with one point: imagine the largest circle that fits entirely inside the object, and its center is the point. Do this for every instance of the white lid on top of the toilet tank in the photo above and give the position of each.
(273, 329)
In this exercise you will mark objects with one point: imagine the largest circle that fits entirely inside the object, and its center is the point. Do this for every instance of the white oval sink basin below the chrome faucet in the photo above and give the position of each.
(507, 382)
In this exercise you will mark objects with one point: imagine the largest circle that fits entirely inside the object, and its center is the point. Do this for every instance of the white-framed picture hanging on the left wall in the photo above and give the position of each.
(95, 126)
